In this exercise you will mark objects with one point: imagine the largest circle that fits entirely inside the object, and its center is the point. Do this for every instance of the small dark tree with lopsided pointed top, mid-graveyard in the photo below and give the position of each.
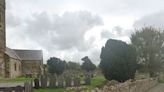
(87, 64)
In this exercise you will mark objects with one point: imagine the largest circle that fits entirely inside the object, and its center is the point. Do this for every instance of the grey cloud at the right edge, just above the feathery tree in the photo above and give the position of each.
(155, 19)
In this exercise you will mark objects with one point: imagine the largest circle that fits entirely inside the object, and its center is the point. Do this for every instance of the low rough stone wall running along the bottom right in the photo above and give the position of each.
(135, 86)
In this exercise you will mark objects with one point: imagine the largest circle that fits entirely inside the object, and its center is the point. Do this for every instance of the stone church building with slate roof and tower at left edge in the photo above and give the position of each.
(16, 62)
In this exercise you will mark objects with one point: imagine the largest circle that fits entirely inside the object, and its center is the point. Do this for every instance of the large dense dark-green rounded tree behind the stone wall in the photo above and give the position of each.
(118, 61)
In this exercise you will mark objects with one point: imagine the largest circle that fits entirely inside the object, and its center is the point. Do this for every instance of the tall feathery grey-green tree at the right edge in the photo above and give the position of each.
(148, 42)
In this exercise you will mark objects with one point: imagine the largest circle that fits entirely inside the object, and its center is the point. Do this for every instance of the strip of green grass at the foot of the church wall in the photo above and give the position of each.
(15, 80)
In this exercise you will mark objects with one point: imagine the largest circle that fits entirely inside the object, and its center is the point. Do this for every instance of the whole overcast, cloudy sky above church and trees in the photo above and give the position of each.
(72, 29)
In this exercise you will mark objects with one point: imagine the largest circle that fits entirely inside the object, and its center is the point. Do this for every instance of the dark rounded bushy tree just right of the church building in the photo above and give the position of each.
(55, 66)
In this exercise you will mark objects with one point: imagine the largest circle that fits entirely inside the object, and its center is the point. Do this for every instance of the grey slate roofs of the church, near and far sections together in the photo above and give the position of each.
(25, 54)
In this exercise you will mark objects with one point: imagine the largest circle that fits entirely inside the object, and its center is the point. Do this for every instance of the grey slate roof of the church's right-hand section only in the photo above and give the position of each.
(30, 54)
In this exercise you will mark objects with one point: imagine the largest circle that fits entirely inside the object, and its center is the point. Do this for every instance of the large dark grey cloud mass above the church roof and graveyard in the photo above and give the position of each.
(62, 32)
